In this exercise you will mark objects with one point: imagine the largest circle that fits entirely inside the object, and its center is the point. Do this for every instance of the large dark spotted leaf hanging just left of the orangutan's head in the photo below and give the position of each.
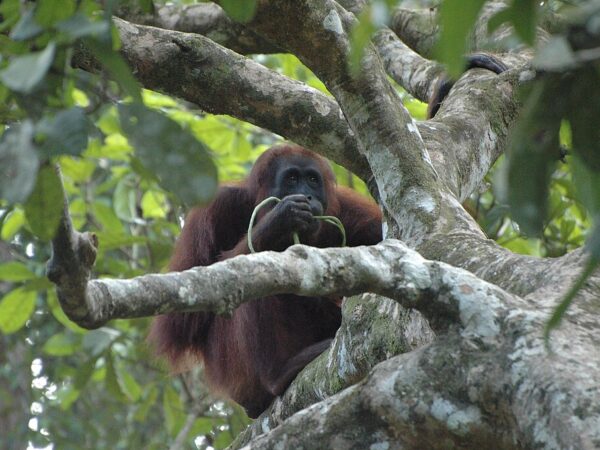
(172, 153)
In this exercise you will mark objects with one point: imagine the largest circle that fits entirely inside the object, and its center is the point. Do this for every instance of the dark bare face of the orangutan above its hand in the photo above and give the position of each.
(300, 175)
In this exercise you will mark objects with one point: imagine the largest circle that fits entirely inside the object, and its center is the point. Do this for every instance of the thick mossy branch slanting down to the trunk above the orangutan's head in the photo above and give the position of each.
(220, 81)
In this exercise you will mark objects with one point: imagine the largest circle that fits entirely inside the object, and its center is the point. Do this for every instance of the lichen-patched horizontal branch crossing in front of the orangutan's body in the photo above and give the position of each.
(301, 270)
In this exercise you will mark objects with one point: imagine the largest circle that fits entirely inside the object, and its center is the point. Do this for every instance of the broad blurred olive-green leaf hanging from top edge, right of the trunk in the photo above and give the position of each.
(457, 19)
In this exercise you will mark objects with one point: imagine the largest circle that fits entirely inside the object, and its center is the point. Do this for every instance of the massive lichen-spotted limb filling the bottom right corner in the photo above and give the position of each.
(459, 392)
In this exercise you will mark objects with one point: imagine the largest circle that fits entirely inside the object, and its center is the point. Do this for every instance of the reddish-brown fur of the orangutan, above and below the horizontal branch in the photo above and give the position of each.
(255, 354)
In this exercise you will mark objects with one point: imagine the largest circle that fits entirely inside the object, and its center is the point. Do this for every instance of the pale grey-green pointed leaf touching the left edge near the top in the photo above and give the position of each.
(25, 72)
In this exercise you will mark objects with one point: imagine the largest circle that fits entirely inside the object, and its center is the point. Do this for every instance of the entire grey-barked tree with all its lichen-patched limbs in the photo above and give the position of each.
(446, 348)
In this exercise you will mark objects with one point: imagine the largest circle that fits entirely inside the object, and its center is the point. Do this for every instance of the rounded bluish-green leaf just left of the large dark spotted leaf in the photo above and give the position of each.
(66, 132)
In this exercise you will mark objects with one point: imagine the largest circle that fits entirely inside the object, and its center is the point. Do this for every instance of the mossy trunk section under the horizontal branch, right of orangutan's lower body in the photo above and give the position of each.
(373, 329)
